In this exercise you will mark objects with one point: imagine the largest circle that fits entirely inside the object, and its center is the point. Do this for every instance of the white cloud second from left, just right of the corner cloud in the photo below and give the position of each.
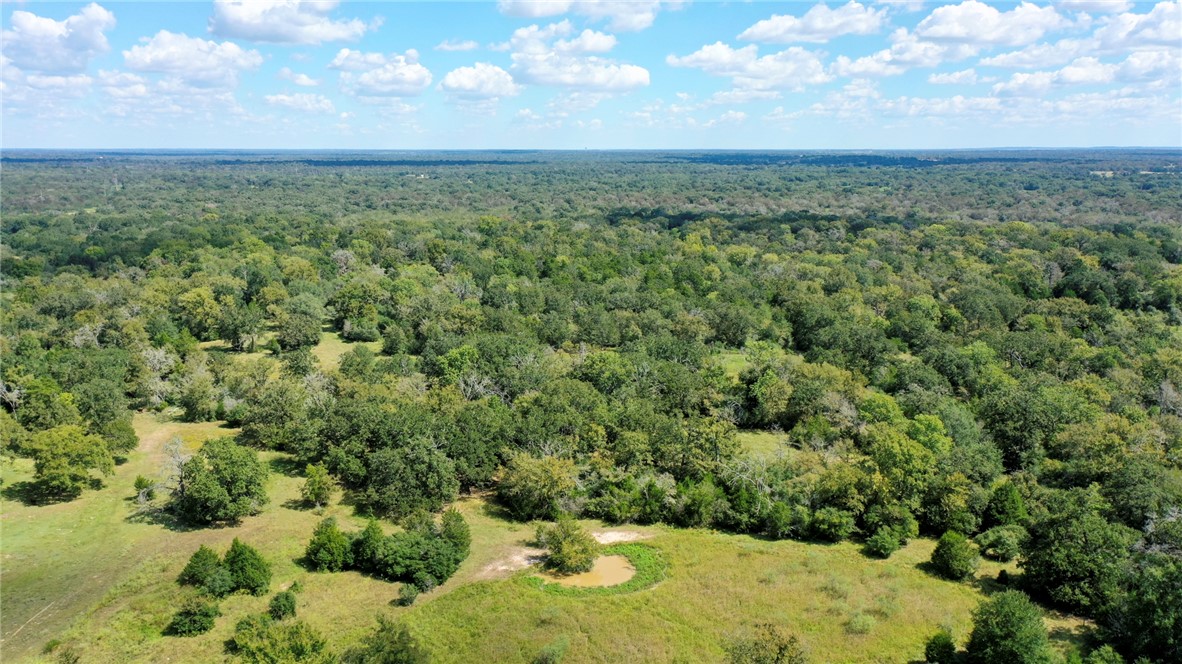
(192, 60)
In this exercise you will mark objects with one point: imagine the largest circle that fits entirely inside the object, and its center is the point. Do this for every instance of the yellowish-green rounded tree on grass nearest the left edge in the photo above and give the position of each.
(64, 458)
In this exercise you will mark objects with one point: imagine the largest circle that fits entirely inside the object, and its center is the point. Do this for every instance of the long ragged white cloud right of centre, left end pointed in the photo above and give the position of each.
(791, 69)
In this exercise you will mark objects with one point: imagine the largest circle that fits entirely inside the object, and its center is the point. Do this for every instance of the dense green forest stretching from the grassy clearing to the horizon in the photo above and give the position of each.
(983, 349)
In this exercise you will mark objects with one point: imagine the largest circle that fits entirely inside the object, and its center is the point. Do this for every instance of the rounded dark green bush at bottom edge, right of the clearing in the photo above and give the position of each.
(1009, 628)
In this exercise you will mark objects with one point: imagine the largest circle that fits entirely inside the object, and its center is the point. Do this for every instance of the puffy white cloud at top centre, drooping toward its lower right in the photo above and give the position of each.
(540, 60)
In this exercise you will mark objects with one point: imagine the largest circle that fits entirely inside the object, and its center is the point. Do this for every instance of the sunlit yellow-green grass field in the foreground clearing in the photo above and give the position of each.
(103, 583)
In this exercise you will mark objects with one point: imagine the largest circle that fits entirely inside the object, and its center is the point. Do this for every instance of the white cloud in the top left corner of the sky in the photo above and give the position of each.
(46, 45)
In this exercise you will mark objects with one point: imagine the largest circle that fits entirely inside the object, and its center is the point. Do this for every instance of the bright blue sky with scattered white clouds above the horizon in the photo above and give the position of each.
(592, 74)
